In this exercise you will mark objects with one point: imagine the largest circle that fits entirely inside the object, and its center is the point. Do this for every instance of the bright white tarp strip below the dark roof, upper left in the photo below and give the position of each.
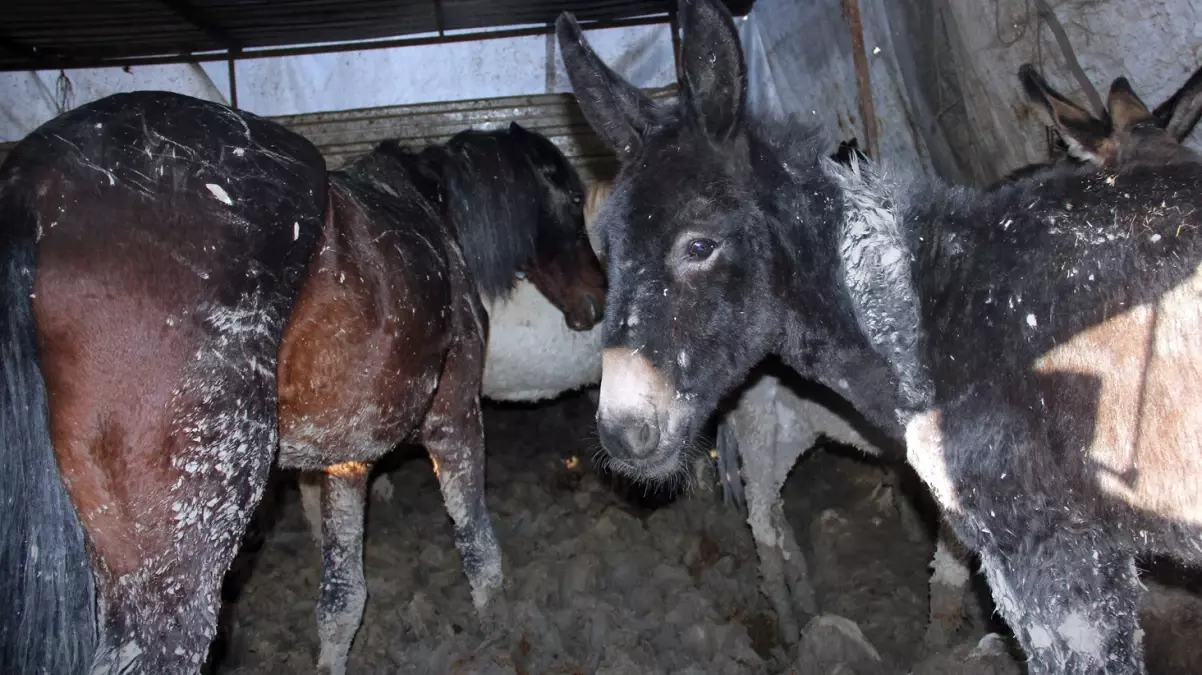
(346, 81)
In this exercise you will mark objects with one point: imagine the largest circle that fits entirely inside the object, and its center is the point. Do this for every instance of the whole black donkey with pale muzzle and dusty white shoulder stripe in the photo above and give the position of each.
(1037, 348)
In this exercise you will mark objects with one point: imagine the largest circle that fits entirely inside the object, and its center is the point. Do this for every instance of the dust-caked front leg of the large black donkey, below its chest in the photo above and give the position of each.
(1074, 605)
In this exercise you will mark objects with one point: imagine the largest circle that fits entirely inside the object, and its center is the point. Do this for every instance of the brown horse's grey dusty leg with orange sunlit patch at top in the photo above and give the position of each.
(343, 494)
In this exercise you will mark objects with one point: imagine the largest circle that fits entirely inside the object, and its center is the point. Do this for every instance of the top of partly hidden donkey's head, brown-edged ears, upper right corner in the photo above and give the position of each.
(1130, 134)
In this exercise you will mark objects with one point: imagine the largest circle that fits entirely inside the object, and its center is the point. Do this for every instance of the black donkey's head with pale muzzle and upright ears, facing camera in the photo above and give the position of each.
(686, 242)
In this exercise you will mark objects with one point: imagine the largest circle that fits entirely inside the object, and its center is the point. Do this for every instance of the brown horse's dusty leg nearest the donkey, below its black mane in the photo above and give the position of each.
(454, 434)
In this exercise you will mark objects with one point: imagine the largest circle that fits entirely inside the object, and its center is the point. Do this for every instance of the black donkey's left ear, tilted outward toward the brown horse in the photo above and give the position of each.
(615, 109)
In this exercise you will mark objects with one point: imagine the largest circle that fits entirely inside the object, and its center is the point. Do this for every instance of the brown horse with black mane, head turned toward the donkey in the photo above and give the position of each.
(377, 354)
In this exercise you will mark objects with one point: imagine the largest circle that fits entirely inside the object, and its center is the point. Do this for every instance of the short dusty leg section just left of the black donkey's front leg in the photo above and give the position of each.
(949, 590)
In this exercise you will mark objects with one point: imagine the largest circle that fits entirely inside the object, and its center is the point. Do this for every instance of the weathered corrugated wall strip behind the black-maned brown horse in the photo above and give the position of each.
(347, 135)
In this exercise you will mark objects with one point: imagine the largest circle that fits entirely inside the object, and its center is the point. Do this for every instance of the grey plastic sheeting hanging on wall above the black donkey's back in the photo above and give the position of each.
(944, 73)
